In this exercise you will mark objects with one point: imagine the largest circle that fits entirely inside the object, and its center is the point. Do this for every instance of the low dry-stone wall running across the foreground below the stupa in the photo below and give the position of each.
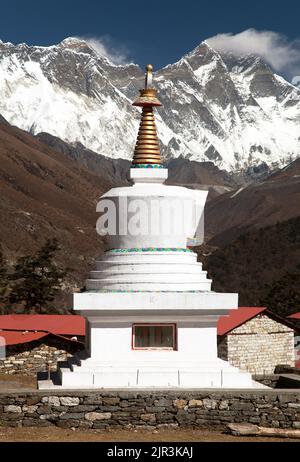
(150, 409)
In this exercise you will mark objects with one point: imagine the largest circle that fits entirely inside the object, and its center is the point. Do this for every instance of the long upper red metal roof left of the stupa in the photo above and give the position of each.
(54, 323)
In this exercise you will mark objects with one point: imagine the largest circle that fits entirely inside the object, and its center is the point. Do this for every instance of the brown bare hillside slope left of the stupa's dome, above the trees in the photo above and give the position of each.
(45, 194)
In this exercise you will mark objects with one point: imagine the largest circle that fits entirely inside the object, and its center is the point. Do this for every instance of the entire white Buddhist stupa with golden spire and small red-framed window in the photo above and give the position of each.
(151, 317)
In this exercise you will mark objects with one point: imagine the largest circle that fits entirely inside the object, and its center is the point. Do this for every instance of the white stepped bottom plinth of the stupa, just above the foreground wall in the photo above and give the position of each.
(84, 374)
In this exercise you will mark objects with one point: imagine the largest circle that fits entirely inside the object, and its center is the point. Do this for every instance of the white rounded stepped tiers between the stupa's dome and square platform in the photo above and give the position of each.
(148, 270)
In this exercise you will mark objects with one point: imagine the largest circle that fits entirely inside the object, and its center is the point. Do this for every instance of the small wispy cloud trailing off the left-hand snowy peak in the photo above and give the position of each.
(105, 46)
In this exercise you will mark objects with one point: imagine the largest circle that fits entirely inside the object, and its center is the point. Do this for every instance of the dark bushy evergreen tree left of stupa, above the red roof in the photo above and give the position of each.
(36, 279)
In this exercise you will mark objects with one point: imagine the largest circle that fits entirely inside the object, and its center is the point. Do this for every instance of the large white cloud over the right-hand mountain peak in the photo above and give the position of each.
(283, 55)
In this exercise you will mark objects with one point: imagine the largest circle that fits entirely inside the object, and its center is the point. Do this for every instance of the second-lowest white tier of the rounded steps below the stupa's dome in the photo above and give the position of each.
(147, 269)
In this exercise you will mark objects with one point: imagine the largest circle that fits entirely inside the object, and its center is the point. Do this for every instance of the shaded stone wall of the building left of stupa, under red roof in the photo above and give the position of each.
(30, 358)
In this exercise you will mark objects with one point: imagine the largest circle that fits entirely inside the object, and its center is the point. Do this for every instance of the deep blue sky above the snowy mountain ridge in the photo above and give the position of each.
(152, 31)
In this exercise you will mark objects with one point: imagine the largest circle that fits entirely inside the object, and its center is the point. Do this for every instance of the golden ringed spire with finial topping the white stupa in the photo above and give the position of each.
(147, 149)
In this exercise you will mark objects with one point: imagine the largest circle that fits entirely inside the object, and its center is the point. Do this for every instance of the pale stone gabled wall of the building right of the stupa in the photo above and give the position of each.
(258, 345)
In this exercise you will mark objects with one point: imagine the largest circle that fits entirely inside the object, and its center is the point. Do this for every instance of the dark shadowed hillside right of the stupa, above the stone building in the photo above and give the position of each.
(262, 265)
